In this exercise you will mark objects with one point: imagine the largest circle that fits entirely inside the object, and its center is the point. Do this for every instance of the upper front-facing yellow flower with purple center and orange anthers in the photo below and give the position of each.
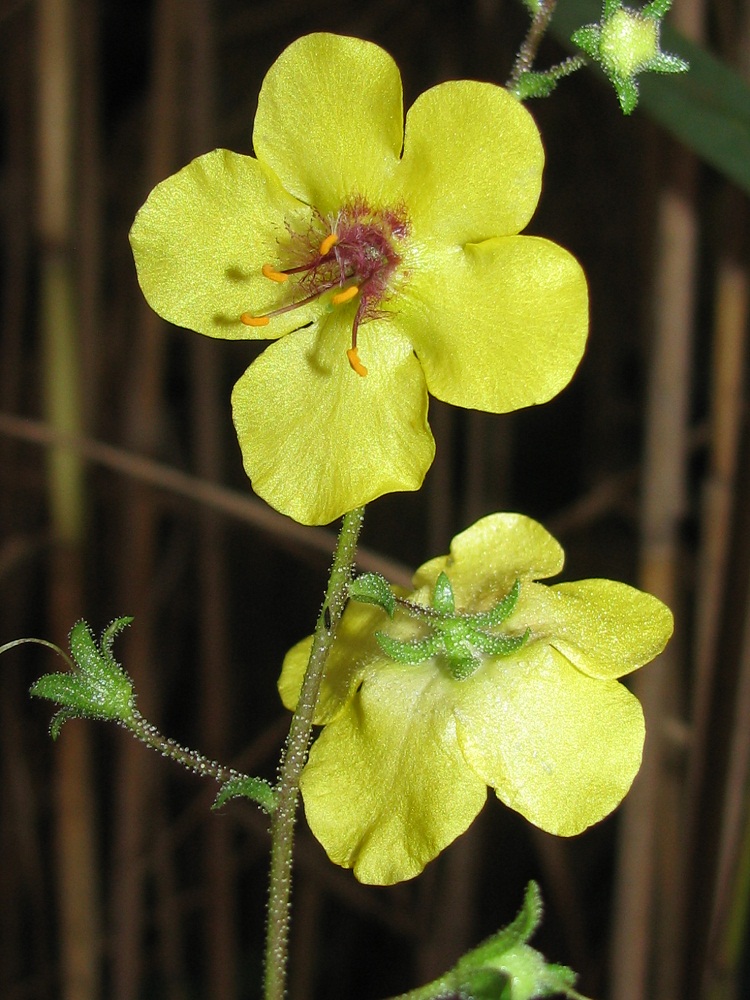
(384, 262)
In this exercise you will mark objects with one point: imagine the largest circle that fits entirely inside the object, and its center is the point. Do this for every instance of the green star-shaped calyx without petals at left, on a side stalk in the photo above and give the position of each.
(97, 687)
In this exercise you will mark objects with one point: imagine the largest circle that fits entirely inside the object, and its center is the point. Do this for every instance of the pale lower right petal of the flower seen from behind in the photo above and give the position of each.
(557, 746)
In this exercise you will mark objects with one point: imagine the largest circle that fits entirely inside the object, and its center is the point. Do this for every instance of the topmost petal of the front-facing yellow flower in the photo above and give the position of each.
(330, 120)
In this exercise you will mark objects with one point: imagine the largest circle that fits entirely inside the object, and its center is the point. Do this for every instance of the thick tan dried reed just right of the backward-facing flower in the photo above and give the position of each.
(646, 948)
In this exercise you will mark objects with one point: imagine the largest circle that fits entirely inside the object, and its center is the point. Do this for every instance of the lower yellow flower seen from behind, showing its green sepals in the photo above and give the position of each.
(487, 679)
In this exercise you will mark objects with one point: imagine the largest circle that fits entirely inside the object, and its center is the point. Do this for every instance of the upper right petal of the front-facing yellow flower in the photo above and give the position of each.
(472, 164)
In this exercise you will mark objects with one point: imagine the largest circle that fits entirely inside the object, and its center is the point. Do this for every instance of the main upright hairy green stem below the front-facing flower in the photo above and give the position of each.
(295, 756)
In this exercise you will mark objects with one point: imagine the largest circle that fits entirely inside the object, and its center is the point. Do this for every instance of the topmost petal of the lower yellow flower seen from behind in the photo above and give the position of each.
(487, 559)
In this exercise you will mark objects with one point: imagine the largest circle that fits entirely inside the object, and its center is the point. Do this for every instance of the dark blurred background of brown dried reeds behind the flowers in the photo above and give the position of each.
(116, 880)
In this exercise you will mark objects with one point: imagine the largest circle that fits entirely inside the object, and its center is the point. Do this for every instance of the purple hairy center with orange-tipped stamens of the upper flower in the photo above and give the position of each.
(354, 252)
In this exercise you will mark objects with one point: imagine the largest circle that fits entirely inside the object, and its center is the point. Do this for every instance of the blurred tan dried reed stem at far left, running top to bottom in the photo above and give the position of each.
(78, 894)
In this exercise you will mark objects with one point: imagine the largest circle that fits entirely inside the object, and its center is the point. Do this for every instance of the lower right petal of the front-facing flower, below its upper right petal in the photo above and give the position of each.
(498, 325)
